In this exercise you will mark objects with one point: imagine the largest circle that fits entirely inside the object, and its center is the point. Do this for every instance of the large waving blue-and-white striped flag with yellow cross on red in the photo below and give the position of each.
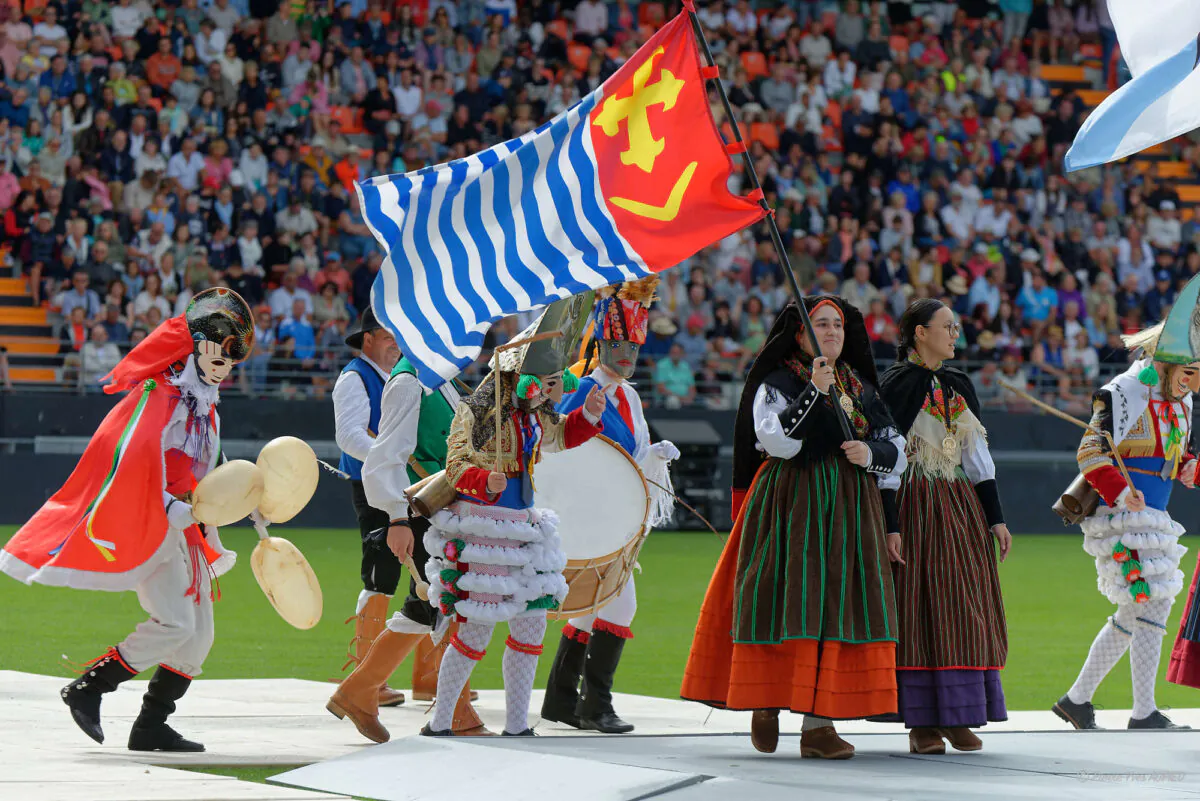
(629, 182)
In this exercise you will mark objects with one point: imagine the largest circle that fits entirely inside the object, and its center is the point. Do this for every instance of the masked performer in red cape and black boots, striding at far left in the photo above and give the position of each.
(123, 520)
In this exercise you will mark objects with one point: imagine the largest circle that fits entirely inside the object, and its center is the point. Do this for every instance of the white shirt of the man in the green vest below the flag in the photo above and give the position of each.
(386, 468)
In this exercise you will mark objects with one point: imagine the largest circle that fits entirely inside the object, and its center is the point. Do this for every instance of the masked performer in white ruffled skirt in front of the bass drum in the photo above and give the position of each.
(494, 558)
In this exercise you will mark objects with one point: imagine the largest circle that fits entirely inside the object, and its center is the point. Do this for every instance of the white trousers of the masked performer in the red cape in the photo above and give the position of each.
(179, 633)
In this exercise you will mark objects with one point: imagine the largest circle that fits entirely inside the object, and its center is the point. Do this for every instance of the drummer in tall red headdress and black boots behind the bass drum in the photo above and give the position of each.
(591, 647)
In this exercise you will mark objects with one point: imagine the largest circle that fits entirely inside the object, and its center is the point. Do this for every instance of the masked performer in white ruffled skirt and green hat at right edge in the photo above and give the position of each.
(1148, 412)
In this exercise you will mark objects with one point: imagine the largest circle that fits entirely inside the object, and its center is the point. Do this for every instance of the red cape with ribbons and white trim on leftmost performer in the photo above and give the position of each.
(104, 528)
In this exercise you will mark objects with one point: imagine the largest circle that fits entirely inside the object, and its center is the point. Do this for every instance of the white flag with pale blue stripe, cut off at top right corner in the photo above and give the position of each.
(1160, 43)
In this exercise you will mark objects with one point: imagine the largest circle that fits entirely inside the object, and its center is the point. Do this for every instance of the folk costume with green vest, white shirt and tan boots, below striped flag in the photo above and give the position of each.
(415, 426)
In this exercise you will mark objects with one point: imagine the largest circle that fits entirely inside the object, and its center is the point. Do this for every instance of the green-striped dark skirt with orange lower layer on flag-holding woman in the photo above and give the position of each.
(801, 615)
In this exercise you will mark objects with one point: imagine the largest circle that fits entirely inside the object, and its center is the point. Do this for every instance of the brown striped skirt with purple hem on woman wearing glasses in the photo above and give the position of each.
(953, 636)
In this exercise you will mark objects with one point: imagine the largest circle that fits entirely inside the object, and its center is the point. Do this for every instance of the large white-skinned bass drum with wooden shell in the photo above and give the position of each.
(603, 504)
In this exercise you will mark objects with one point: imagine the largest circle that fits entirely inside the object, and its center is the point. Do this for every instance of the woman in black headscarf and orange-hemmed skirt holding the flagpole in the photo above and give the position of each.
(801, 615)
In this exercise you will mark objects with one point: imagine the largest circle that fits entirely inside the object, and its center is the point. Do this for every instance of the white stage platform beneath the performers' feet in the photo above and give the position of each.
(44, 757)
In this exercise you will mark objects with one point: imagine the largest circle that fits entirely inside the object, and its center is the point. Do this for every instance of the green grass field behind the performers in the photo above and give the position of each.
(1054, 612)
